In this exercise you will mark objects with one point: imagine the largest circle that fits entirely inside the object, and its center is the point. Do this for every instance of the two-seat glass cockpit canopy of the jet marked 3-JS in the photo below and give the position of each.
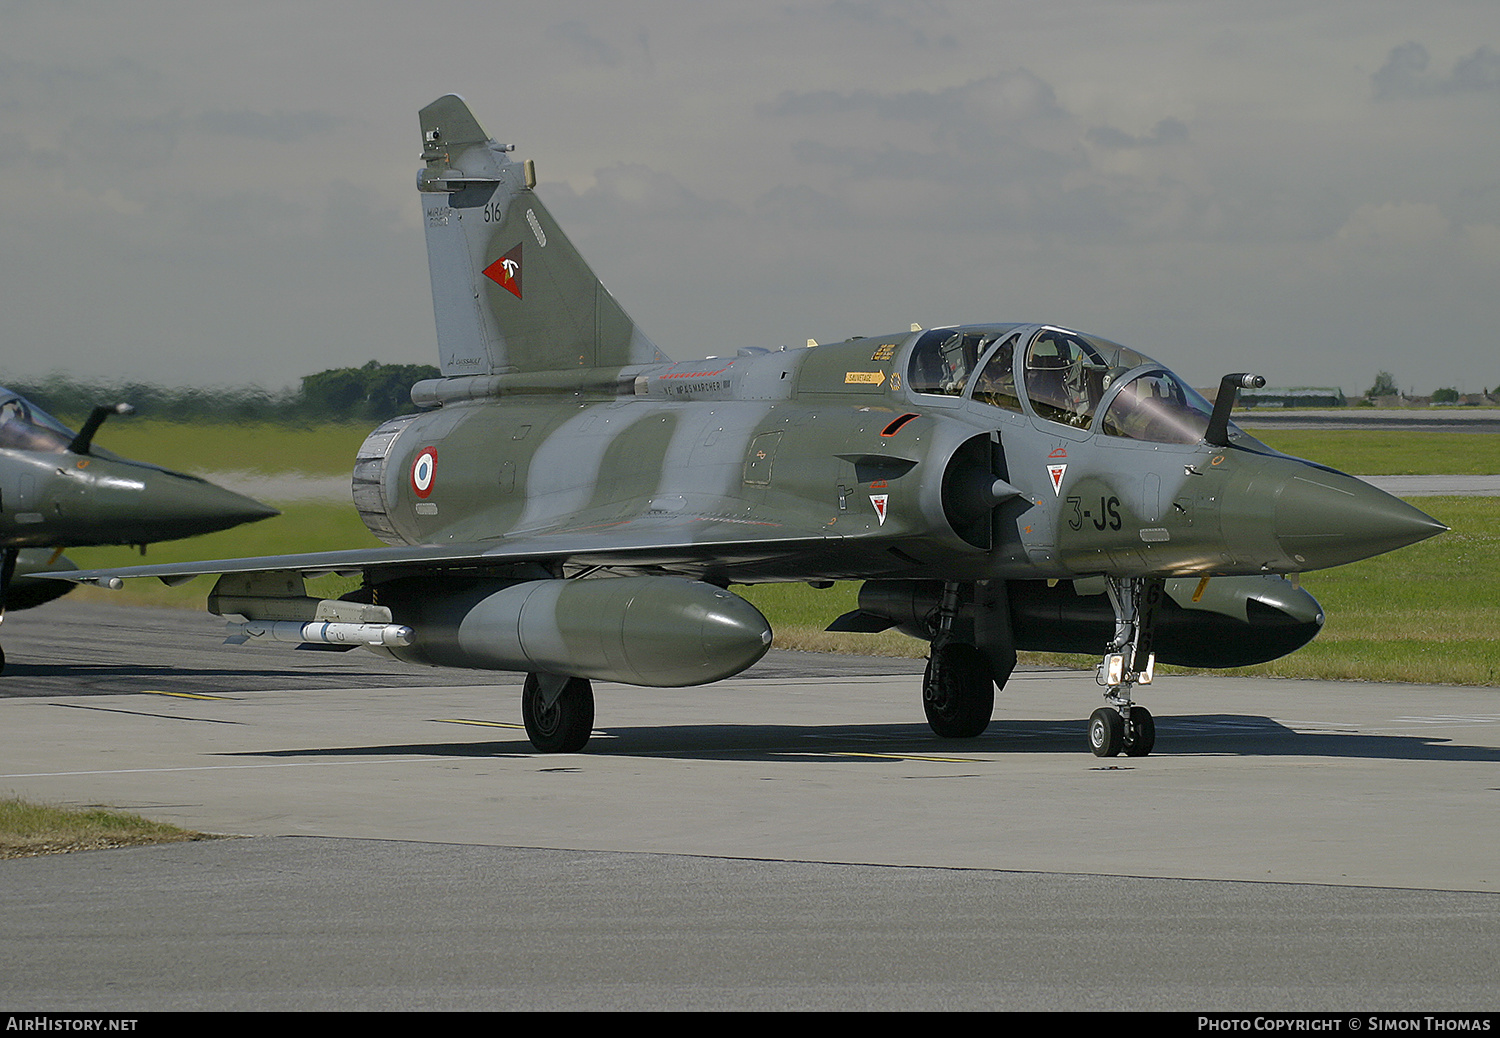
(1064, 377)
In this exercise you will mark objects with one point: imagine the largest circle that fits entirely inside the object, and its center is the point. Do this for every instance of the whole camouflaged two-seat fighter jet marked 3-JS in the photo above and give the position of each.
(575, 506)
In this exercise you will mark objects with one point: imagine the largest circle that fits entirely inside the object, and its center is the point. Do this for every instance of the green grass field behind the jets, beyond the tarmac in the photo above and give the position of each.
(1429, 613)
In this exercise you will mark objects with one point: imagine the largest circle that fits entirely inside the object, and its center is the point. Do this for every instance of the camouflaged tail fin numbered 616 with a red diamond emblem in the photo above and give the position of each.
(509, 290)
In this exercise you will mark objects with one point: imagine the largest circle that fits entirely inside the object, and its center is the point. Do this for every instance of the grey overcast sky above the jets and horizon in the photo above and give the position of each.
(212, 194)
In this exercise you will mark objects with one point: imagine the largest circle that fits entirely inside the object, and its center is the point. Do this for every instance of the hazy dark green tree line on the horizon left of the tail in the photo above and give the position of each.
(368, 394)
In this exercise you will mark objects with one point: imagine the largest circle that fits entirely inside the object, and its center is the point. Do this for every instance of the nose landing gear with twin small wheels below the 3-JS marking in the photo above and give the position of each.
(1124, 727)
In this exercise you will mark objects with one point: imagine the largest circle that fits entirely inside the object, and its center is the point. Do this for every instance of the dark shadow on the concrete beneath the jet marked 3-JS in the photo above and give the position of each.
(1181, 736)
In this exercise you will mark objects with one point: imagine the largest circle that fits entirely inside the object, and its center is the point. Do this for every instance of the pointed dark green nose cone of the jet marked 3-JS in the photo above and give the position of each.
(1325, 518)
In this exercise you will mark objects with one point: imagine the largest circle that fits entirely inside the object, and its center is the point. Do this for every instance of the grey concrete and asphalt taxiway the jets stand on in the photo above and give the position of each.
(793, 838)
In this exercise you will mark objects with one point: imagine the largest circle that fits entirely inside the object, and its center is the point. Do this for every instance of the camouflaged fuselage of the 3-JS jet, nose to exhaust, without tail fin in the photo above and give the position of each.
(979, 452)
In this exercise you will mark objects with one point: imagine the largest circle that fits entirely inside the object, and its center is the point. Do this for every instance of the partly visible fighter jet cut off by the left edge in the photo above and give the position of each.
(59, 491)
